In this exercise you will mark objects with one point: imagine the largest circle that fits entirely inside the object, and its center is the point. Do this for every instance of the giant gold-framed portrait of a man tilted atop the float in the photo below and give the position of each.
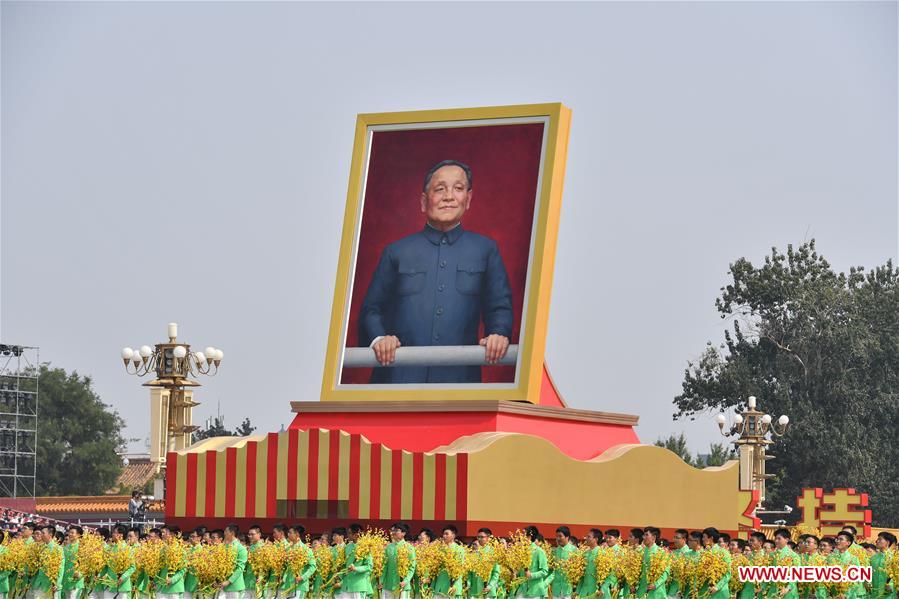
(446, 258)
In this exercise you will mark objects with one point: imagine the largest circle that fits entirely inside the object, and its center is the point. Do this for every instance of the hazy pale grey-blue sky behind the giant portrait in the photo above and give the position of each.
(174, 162)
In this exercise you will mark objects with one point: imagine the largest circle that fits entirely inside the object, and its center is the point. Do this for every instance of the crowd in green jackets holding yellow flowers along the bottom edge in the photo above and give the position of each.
(39, 562)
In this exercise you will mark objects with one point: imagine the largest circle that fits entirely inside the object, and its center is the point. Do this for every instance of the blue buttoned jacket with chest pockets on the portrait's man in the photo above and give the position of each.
(434, 288)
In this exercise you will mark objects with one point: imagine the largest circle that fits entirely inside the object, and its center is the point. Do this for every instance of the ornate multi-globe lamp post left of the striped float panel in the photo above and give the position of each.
(171, 396)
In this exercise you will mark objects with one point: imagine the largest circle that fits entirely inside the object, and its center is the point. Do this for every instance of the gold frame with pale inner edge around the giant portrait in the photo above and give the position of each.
(556, 120)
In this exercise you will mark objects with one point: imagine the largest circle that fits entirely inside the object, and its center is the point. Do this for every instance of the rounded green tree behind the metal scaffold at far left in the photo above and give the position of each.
(78, 436)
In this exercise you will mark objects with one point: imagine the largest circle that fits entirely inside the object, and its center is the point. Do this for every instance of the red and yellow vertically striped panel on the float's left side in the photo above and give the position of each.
(317, 473)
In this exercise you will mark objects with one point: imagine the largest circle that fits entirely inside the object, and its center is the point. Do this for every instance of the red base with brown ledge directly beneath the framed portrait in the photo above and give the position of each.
(427, 425)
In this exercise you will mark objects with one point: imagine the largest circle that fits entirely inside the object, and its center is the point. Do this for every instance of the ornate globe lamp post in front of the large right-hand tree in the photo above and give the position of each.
(752, 428)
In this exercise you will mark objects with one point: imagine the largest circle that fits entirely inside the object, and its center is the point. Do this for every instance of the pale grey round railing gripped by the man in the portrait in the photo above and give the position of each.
(437, 355)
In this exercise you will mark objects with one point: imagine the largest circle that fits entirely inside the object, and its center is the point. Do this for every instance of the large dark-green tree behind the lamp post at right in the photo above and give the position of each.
(823, 348)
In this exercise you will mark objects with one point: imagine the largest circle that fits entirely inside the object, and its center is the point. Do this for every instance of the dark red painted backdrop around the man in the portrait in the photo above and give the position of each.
(505, 163)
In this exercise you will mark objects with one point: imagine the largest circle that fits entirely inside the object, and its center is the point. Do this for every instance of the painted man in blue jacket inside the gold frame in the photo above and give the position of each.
(434, 287)
